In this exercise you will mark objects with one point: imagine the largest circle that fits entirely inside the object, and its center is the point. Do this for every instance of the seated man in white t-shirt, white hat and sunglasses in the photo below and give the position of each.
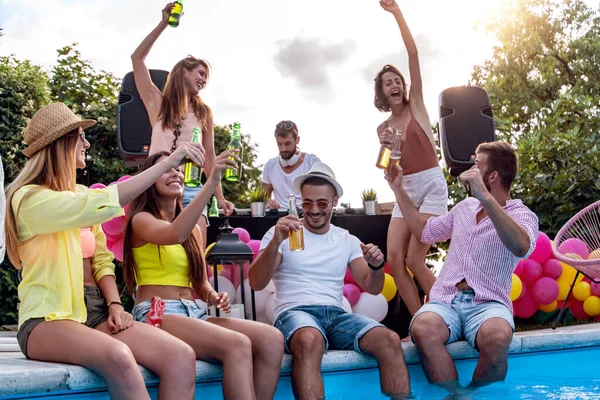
(308, 290)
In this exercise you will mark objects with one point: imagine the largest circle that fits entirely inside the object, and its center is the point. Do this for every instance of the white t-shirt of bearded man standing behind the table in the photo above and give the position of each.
(273, 174)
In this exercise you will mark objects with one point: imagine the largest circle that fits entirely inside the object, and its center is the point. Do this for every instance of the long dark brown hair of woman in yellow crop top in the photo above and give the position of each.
(149, 202)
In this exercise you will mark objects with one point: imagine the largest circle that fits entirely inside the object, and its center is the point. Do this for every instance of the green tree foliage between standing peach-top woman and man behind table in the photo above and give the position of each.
(239, 193)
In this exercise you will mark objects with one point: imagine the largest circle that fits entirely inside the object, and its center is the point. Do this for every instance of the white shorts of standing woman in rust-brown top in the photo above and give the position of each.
(427, 190)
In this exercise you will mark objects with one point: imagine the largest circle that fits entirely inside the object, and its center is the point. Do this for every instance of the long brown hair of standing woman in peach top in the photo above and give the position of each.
(175, 101)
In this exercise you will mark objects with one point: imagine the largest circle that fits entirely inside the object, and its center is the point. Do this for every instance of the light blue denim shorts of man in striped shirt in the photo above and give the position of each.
(463, 318)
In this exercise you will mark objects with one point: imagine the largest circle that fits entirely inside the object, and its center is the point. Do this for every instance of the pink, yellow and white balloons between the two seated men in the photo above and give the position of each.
(361, 302)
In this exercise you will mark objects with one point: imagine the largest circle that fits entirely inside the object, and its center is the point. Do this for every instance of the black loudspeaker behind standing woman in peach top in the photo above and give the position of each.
(133, 125)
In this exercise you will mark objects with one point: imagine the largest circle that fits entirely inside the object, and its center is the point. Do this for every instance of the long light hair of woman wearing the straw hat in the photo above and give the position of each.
(54, 168)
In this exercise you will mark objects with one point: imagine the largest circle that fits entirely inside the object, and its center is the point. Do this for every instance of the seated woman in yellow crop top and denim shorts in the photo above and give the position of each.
(162, 256)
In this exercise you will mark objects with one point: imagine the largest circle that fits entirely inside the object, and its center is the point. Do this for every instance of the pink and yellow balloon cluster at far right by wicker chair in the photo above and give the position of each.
(541, 282)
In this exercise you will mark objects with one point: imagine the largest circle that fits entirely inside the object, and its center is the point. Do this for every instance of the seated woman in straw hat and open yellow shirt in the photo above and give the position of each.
(45, 213)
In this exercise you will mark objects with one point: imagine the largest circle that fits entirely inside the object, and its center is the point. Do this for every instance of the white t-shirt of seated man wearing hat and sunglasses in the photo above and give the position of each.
(316, 274)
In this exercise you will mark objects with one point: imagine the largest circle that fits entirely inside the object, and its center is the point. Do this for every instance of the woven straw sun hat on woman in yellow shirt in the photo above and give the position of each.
(50, 123)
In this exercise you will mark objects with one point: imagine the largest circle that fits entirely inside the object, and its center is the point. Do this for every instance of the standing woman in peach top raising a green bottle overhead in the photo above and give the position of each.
(176, 111)
